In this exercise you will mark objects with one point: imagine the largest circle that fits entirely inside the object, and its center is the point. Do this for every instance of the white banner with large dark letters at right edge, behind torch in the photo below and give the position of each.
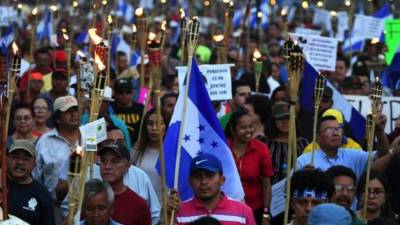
(391, 108)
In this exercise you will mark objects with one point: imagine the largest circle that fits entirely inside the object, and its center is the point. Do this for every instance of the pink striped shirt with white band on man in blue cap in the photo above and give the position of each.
(228, 212)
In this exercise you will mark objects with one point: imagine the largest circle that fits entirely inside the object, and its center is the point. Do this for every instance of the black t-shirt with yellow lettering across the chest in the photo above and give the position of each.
(131, 116)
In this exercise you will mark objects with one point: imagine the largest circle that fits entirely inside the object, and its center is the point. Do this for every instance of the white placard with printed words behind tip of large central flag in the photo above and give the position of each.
(218, 80)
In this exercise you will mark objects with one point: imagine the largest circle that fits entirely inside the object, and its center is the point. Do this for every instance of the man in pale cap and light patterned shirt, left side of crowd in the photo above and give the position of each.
(55, 146)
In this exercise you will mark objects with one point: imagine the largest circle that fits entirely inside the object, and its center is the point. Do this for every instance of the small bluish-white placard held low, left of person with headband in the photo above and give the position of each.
(278, 192)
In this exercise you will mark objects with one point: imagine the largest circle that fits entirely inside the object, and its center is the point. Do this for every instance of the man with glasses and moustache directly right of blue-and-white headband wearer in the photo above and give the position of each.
(344, 181)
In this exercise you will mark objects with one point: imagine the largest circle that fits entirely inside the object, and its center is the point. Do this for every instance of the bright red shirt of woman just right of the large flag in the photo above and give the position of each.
(252, 166)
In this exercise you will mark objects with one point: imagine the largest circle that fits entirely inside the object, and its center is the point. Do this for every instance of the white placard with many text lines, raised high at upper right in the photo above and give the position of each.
(319, 51)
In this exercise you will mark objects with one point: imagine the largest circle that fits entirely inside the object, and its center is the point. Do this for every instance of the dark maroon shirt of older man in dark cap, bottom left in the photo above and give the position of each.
(131, 209)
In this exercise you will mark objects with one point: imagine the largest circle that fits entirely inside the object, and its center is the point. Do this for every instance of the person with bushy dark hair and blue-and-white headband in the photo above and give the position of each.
(309, 188)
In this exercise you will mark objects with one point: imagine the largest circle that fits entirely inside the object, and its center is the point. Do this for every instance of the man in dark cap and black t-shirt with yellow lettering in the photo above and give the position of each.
(126, 109)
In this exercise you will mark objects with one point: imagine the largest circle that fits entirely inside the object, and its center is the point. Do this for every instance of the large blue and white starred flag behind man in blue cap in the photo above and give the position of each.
(202, 133)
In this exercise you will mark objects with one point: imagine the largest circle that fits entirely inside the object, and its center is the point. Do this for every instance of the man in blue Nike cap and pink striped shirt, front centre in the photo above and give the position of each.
(206, 179)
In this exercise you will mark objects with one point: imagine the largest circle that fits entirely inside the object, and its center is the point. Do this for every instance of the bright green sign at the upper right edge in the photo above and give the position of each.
(392, 38)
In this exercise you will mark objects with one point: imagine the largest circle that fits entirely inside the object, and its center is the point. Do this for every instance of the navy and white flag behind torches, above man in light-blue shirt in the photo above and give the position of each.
(351, 115)
